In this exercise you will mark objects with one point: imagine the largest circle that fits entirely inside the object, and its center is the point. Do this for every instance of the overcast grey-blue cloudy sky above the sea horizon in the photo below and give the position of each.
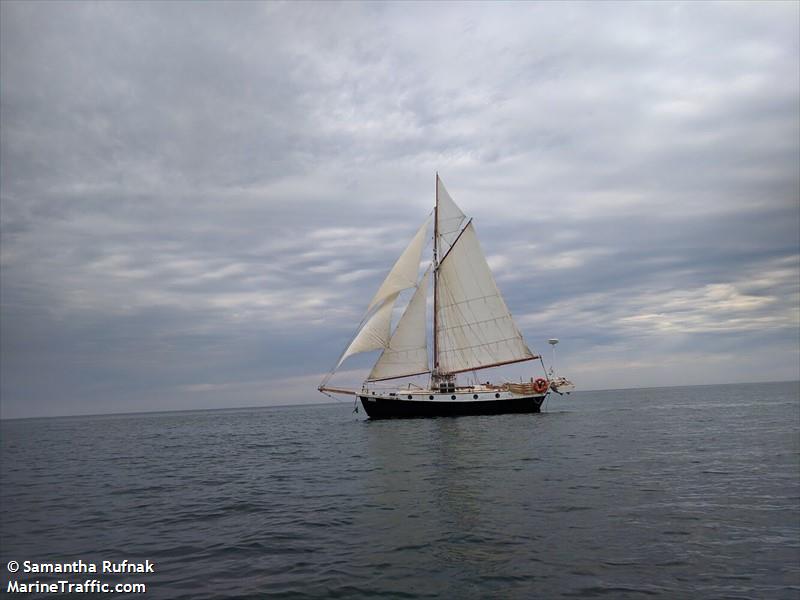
(199, 199)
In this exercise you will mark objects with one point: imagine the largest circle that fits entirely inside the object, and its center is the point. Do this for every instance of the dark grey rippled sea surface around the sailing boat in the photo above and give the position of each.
(683, 492)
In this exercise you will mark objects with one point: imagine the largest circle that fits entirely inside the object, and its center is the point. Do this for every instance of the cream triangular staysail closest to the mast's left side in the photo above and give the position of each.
(407, 353)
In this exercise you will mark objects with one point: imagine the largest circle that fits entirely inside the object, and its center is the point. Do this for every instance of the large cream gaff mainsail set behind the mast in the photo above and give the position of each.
(475, 328)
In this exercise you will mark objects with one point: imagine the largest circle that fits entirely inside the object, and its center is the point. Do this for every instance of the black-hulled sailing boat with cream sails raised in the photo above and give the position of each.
(472, 330)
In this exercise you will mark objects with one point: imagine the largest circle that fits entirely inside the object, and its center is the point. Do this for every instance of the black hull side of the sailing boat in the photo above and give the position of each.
(392, 408)
